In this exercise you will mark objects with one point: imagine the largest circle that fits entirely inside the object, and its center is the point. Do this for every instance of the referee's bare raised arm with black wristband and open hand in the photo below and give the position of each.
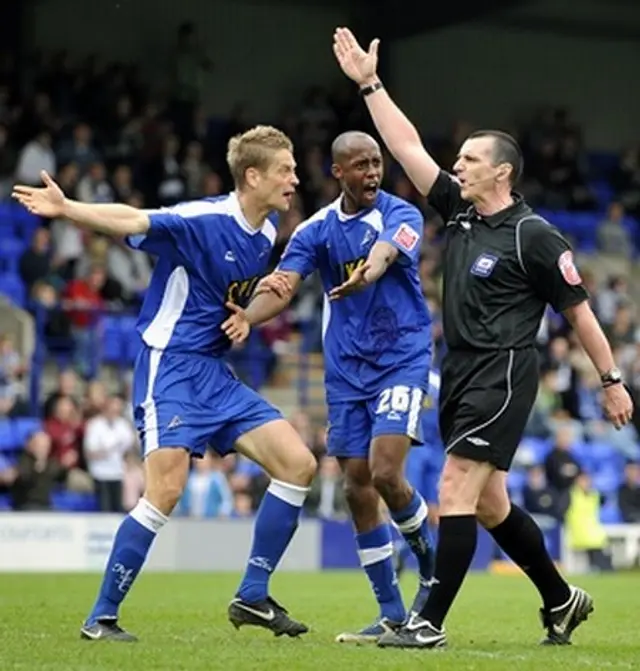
(398, 133)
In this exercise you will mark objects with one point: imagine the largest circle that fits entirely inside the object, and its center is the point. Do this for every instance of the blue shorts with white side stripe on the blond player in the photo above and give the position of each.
(193, 401)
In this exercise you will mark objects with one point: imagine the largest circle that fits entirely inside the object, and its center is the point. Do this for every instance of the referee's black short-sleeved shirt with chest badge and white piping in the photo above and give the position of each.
(500, 272)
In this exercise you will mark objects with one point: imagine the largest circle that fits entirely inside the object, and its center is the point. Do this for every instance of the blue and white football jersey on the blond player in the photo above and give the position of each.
(208, 254)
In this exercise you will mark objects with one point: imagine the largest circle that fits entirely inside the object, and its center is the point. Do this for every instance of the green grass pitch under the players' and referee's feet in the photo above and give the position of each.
(181, 620)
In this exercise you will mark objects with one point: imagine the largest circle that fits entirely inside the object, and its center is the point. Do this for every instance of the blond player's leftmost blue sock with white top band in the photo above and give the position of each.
(130, 548)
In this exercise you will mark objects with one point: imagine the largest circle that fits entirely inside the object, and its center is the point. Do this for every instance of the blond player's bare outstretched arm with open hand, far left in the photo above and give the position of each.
(111, 219)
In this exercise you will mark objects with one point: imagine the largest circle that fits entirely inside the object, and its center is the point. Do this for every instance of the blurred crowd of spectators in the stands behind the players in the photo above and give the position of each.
(98, 129)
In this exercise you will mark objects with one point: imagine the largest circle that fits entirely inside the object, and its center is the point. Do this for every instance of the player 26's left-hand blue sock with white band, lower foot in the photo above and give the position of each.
(375, 550)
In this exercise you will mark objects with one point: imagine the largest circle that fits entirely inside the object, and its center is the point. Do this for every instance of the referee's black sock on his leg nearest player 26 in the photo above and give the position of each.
(457, 536)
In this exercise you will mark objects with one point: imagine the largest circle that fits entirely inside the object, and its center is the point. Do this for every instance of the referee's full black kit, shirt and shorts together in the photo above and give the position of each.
(500, 272)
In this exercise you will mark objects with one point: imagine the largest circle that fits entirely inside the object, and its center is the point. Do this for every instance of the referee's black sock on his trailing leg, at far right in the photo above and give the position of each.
(520, 537)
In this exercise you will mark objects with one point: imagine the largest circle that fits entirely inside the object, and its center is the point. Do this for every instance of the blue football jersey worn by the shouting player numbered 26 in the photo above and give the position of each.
(376, 334)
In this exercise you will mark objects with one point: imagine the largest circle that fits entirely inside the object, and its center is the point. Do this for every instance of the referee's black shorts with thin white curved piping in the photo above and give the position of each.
(485, 402)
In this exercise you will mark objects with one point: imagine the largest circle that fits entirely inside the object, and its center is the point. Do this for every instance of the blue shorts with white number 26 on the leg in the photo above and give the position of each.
(353, 425)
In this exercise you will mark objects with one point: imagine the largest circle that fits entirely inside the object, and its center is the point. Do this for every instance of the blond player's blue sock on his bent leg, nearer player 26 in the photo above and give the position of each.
(275, 525)
